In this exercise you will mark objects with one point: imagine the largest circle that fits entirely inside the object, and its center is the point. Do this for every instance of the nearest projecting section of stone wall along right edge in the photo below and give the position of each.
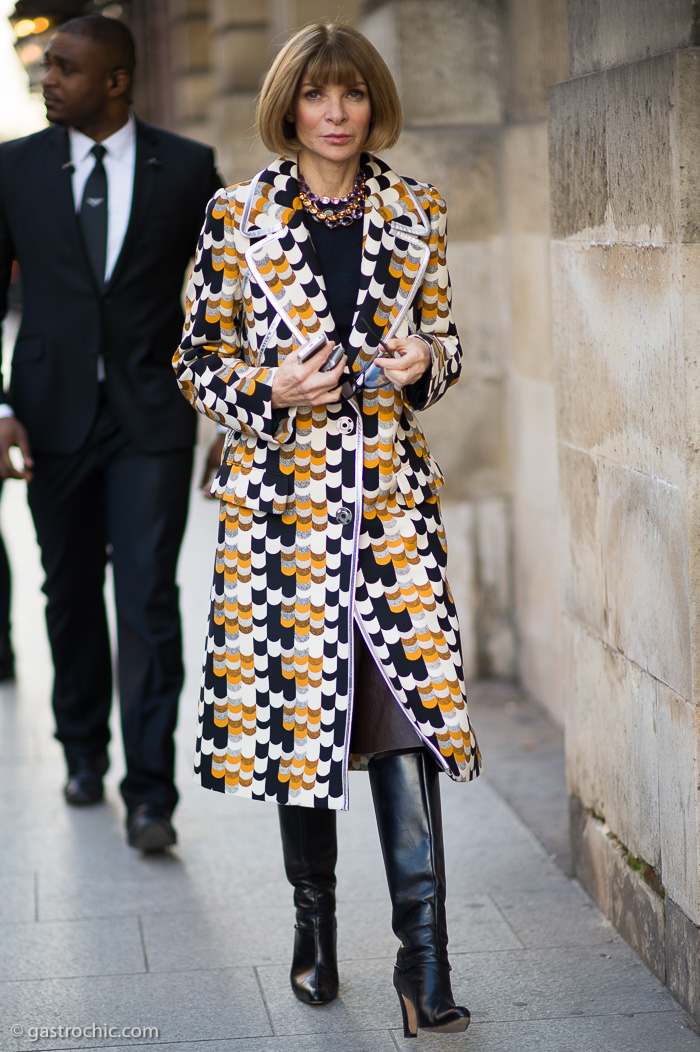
(626, 267)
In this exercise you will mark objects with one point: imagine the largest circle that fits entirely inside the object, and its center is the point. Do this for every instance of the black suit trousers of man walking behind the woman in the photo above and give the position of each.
(113, 502)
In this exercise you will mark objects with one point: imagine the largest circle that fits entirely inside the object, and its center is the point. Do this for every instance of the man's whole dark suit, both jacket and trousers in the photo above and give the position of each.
(113, 460)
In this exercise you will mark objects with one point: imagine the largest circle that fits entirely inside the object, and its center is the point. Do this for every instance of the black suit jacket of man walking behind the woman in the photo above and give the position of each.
(135, 322)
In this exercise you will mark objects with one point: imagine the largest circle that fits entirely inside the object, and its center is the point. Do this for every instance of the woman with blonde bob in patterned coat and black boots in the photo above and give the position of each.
(333, 635)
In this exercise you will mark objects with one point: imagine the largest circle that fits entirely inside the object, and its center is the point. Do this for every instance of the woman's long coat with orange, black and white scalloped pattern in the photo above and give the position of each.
(330, 515)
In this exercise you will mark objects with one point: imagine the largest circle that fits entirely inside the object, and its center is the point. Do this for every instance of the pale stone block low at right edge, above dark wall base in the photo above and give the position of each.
(678, 725)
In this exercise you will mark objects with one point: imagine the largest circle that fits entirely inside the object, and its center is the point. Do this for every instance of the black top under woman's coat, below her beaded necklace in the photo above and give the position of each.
(339, 254)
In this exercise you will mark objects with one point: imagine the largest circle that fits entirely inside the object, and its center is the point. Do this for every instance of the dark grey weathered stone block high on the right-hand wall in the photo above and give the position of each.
(626, 153)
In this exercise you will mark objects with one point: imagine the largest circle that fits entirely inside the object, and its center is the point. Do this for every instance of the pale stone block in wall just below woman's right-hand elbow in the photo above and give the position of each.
(467, 434)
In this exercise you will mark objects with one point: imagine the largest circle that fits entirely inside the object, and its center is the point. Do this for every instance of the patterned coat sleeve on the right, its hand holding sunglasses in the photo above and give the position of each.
(433, 315)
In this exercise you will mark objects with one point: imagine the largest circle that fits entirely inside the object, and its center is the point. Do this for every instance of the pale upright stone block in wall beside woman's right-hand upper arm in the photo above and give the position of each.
(476, 272)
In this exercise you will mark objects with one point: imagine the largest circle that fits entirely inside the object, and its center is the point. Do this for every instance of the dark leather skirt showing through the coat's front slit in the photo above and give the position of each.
(379, 724)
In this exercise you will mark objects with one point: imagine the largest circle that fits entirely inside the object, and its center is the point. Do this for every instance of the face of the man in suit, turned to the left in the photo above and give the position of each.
(76, 82)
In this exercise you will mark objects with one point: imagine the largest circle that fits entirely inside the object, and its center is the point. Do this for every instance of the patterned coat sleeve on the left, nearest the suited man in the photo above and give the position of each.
(213, 363)
